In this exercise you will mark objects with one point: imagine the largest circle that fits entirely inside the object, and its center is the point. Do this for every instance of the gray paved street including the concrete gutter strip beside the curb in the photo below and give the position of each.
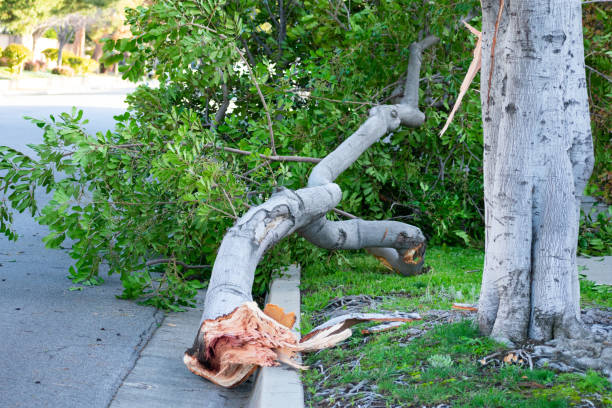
(63, 348)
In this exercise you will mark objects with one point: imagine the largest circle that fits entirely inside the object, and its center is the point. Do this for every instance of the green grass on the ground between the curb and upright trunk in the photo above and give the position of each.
(442, 365)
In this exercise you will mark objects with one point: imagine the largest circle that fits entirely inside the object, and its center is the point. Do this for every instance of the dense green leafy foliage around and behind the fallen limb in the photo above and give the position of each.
(239, 74)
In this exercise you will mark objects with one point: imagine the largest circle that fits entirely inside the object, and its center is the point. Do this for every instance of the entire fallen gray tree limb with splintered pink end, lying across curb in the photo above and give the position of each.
(234, 335)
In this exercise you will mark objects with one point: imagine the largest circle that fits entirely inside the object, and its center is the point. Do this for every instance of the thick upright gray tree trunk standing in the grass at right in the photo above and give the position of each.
(538, 156)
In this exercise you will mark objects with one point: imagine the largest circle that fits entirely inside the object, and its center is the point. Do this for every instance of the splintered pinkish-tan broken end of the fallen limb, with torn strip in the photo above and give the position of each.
(232, 346)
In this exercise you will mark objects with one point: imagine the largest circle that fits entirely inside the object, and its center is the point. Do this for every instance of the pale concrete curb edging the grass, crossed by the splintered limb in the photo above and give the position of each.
(281, 387)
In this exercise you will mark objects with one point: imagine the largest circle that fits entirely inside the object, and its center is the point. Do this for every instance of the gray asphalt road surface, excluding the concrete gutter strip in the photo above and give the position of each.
(60, 348)
